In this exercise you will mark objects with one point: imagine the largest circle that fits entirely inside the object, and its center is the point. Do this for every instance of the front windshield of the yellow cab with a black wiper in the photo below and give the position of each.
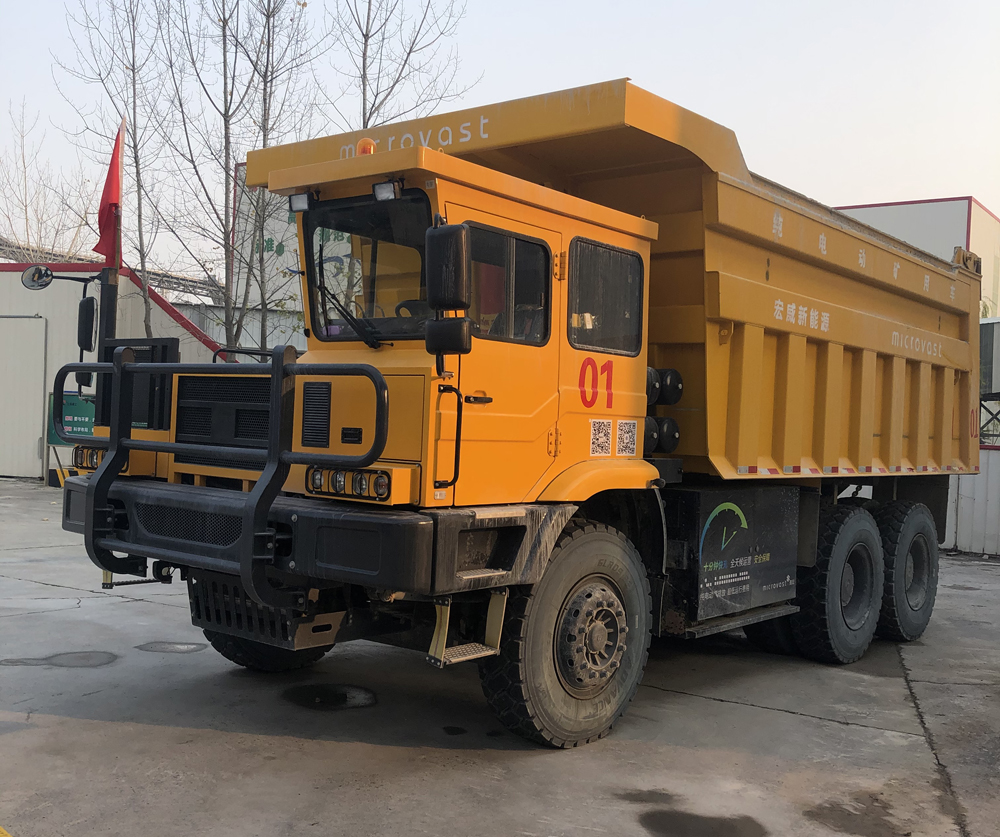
(364, 261)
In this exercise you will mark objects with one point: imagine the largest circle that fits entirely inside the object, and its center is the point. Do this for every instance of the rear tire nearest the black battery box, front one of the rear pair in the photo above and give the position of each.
(840, 597)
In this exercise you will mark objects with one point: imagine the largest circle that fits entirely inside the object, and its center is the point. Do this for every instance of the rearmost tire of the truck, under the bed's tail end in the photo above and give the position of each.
(909, 544)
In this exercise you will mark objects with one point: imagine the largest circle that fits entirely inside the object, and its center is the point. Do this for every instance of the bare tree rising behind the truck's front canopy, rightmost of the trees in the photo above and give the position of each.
(394, 59)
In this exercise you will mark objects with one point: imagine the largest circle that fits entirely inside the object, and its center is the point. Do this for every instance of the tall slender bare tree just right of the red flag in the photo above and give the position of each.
(117, 49)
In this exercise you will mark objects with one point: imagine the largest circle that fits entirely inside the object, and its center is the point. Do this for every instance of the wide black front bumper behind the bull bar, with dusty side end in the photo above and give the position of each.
(434, 552)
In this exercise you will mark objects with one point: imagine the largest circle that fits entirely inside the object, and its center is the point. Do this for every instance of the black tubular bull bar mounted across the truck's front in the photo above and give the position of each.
(234, 526)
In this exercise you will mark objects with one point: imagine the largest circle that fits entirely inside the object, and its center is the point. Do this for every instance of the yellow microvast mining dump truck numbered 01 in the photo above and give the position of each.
(575, 378)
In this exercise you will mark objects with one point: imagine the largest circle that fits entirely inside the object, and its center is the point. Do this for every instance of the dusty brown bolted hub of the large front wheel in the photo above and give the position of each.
(591, 639)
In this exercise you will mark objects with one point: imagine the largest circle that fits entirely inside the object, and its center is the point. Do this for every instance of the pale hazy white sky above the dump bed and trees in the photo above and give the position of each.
(848, 101)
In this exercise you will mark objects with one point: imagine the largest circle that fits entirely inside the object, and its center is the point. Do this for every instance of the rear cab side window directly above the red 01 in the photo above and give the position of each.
(605, 298)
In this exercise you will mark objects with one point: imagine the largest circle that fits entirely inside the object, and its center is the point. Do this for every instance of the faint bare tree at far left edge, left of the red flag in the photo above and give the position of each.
(43, 212)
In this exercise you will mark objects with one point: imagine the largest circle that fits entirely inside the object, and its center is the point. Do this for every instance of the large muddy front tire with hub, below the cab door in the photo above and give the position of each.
(574, 646)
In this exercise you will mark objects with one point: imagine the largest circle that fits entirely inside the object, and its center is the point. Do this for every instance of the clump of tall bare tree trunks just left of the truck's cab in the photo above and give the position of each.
(235, 70)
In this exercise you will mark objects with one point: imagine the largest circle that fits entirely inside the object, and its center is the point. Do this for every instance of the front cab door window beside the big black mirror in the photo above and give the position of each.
(510, 287)
